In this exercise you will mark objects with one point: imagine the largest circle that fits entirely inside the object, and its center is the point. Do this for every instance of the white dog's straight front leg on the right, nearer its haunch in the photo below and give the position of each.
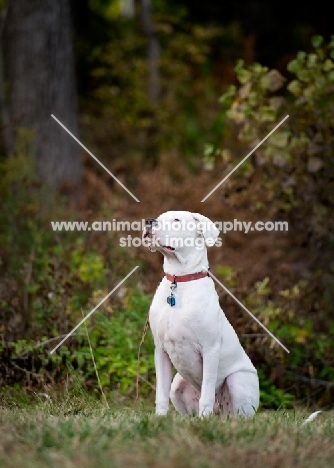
(208, 389)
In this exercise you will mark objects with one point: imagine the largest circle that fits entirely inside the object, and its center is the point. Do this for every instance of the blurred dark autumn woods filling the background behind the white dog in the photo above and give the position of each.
(170, 96)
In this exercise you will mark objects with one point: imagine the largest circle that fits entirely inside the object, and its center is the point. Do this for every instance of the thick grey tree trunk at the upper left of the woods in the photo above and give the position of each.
(40, 79)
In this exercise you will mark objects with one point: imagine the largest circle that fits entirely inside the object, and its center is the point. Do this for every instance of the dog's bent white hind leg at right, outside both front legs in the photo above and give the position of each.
(240, 394)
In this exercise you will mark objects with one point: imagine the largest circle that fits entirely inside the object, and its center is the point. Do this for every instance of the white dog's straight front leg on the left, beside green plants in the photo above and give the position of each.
(163, 369)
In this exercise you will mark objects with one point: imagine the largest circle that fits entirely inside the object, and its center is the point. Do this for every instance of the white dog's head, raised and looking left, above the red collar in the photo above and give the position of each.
(180, 235)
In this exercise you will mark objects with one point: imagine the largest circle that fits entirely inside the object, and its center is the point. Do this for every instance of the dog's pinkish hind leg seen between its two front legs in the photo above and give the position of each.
(184, 396)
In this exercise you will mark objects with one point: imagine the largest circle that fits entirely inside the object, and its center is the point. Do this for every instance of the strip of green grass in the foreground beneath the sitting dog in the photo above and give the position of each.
(79, 432)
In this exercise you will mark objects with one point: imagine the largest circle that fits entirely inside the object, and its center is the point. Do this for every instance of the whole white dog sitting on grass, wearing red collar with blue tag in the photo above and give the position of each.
(190, 330)
